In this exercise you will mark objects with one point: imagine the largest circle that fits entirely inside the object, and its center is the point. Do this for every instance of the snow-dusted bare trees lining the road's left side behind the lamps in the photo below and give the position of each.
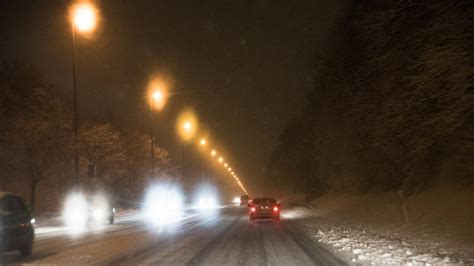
(37, 145)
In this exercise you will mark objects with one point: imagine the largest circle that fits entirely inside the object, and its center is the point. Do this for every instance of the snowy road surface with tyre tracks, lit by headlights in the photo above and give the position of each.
(224, 238)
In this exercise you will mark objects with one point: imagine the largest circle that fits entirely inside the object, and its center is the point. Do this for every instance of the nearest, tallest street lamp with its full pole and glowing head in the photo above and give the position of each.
(83, 19)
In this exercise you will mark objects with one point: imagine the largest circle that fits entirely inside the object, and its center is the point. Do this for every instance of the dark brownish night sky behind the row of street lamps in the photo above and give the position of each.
(246, 66)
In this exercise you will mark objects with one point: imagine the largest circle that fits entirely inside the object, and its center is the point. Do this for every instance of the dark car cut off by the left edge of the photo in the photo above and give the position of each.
(16, 224)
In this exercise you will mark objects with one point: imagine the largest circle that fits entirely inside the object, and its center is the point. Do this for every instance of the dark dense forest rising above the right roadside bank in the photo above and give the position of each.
(393, 104)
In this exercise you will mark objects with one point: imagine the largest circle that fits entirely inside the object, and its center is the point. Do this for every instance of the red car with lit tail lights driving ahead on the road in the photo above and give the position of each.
(264, 208)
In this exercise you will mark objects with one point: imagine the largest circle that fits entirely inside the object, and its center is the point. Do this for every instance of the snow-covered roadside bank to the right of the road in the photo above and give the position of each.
(370, 229)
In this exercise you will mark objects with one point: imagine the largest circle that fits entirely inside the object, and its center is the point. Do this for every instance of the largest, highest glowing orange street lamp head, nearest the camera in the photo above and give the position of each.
(84, 17)
